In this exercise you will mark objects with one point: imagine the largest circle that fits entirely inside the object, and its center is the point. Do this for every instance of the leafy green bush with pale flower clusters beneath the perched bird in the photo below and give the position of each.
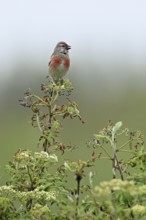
(38, 187)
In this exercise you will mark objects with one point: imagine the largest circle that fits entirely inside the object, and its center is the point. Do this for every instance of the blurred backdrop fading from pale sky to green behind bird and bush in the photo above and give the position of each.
(107, 67)
